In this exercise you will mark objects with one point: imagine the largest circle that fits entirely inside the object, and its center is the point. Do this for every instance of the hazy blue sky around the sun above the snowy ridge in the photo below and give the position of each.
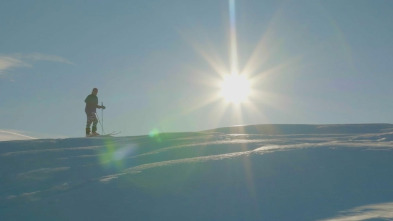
(159, 64)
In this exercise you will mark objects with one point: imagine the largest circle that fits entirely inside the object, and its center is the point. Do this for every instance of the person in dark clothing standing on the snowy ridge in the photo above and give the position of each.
(90, 109)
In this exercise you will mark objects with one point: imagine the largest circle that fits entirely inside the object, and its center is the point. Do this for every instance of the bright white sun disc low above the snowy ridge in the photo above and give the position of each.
(235, 88)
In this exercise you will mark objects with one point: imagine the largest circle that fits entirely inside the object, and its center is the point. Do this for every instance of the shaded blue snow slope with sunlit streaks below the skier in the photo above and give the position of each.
(262, 172)
